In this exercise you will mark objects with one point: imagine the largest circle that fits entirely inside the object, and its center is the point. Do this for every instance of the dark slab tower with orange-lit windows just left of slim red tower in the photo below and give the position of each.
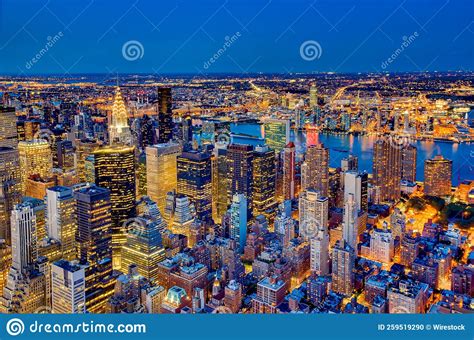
(264, 181)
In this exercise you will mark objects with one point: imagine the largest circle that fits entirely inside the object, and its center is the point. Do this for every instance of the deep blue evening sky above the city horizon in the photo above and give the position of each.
(182, 36)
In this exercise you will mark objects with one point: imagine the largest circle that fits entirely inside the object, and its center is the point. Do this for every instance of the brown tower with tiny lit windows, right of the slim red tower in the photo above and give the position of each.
(315, 169)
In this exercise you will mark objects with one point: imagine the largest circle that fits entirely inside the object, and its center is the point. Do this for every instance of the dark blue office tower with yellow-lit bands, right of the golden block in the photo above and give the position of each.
(195, 181)
